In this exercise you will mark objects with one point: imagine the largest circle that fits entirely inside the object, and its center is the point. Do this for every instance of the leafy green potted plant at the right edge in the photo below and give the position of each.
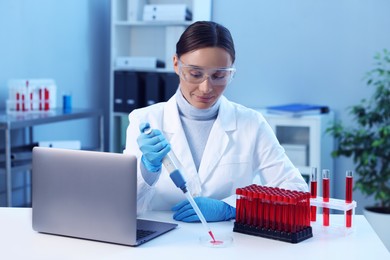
(367, 140)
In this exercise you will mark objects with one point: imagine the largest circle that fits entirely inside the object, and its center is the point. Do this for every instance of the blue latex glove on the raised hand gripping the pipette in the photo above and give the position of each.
(154, 147)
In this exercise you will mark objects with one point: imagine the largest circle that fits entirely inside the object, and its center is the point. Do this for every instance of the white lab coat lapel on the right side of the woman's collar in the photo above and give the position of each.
(218, 140)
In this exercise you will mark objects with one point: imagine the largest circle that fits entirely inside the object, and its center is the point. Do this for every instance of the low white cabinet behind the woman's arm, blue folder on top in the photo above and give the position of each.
(306, 142)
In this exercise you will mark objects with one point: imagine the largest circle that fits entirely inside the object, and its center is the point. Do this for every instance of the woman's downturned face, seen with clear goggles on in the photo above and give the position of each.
(203, 64)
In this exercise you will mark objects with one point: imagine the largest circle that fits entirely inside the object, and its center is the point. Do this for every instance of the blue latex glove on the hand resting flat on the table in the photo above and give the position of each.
(213, 210)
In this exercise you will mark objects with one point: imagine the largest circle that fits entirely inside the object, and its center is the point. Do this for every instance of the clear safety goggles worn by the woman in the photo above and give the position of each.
(196, 75)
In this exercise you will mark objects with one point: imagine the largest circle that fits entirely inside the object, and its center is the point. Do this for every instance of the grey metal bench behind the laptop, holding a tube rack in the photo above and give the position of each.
(27, 121)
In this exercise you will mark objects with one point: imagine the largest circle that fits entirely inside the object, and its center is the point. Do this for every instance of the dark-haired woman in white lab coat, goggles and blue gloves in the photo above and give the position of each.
(221, 145)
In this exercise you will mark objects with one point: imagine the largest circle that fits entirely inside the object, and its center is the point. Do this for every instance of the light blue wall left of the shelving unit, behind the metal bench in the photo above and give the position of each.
(64, 40)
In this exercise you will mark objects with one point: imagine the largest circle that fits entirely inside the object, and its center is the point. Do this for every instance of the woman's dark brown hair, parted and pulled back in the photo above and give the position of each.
(205, 34)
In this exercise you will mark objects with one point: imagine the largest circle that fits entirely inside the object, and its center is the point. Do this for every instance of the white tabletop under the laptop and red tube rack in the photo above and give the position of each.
(19, 241)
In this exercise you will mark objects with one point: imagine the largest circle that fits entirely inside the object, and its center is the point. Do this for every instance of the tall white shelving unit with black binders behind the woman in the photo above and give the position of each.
(133, 37)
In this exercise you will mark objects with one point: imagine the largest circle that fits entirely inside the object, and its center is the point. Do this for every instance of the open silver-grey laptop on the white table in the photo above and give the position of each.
(90, 195)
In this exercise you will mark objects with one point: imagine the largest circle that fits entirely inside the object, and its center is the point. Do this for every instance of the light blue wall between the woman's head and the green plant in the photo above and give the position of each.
(313, 51)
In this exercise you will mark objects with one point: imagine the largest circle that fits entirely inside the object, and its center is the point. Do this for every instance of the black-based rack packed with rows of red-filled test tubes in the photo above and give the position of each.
(274, 213)
